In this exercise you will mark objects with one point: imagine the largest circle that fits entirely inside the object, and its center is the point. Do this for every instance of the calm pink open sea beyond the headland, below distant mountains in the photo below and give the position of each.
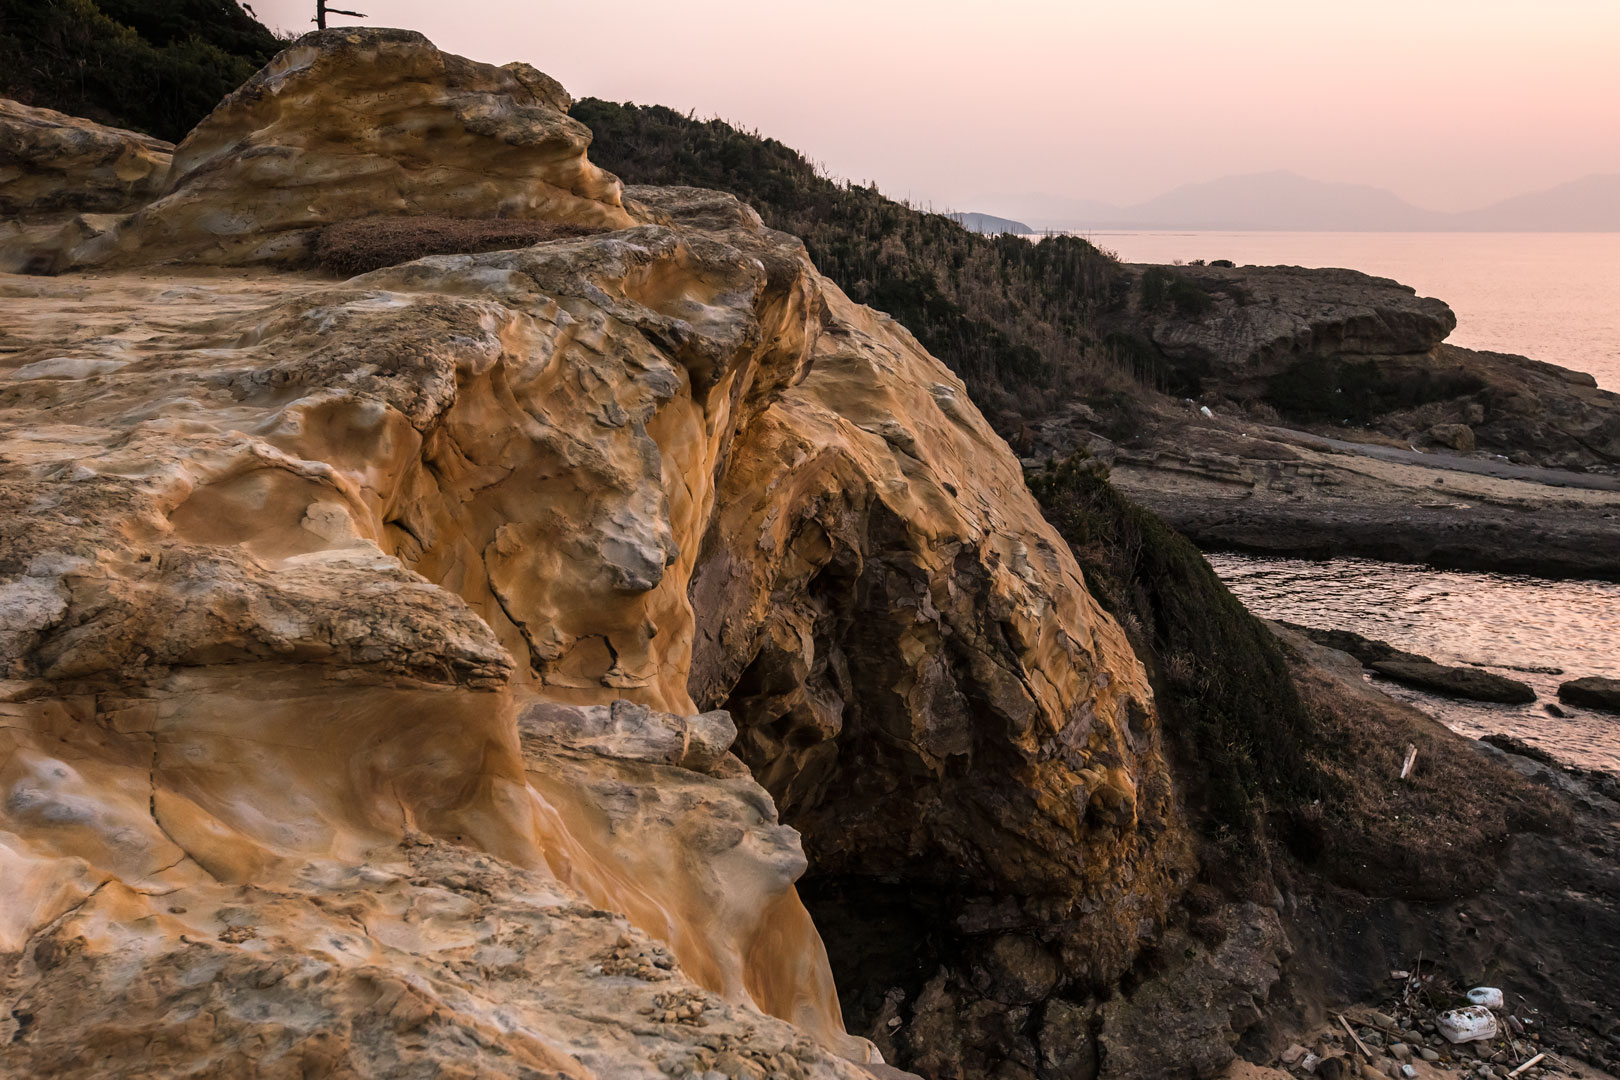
(1551, 297)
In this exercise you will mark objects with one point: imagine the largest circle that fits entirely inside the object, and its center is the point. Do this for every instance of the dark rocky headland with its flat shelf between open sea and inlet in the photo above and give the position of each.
(1326, 417)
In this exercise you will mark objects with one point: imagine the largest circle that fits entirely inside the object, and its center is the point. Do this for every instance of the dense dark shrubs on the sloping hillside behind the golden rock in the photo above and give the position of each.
(1017, 320)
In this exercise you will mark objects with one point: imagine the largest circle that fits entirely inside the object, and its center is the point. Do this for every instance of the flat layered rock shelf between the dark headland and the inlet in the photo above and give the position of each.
(1232, 483)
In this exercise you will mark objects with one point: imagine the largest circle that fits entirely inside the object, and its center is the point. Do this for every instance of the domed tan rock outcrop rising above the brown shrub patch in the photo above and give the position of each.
(346, 125)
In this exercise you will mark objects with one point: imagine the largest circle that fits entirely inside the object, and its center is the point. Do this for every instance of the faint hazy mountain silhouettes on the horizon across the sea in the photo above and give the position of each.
(1289, 202)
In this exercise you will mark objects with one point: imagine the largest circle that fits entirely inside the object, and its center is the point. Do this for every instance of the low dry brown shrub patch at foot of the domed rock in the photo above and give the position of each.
(372, 244)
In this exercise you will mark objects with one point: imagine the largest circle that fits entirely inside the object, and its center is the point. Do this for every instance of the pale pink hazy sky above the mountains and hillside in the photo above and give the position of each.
(963, 106)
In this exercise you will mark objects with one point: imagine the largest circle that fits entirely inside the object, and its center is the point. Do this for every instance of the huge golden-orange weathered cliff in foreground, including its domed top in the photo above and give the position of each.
(373, 650)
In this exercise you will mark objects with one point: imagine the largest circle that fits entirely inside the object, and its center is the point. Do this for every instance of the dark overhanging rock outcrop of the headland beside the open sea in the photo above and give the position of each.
(1337, 349)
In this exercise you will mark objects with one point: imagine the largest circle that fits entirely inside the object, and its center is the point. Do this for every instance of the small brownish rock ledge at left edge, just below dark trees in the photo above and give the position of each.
(53, 163)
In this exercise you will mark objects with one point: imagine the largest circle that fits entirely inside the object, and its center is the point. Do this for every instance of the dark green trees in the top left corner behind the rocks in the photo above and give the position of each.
(151, 66)
